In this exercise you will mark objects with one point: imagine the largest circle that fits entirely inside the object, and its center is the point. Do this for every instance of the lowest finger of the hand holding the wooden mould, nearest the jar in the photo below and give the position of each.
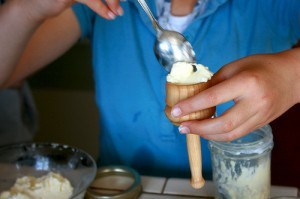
(242, 130)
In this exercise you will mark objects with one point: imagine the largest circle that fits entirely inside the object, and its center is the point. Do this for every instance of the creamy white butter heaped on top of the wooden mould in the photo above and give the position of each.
(188, 73)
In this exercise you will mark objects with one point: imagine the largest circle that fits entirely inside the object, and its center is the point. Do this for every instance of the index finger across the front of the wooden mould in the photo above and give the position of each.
(230, 89)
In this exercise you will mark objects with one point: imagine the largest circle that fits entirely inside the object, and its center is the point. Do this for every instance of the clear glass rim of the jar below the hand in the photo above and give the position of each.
(262, 141)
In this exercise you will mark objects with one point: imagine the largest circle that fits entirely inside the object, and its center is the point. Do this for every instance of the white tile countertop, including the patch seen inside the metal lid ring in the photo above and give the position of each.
(169, 188)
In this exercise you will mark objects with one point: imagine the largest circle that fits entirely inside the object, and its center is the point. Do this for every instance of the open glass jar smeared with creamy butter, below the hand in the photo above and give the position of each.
(241, 168)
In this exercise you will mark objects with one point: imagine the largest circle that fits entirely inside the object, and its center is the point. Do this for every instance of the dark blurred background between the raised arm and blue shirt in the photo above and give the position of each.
(63, 93)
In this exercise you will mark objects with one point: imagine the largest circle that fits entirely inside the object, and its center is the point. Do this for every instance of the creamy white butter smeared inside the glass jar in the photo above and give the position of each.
(247, 179)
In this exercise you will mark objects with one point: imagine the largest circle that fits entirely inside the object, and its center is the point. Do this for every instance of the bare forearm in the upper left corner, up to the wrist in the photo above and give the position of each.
(16, 30)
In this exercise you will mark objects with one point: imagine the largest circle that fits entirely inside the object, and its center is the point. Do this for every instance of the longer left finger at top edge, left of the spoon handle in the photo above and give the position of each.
(99, 7)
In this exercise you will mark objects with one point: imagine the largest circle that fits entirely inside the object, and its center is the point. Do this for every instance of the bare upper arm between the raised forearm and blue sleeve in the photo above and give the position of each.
(52, 39)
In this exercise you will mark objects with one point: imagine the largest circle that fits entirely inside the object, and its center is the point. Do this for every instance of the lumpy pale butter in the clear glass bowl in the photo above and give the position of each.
(50, 186)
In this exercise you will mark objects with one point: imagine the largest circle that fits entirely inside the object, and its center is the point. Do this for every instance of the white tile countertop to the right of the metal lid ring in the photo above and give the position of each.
(175, 188)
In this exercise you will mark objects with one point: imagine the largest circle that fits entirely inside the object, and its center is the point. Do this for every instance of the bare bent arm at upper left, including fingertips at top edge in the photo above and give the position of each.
(29, 41)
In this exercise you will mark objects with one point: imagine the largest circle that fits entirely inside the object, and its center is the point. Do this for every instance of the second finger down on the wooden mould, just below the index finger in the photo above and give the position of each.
(227, 122)
